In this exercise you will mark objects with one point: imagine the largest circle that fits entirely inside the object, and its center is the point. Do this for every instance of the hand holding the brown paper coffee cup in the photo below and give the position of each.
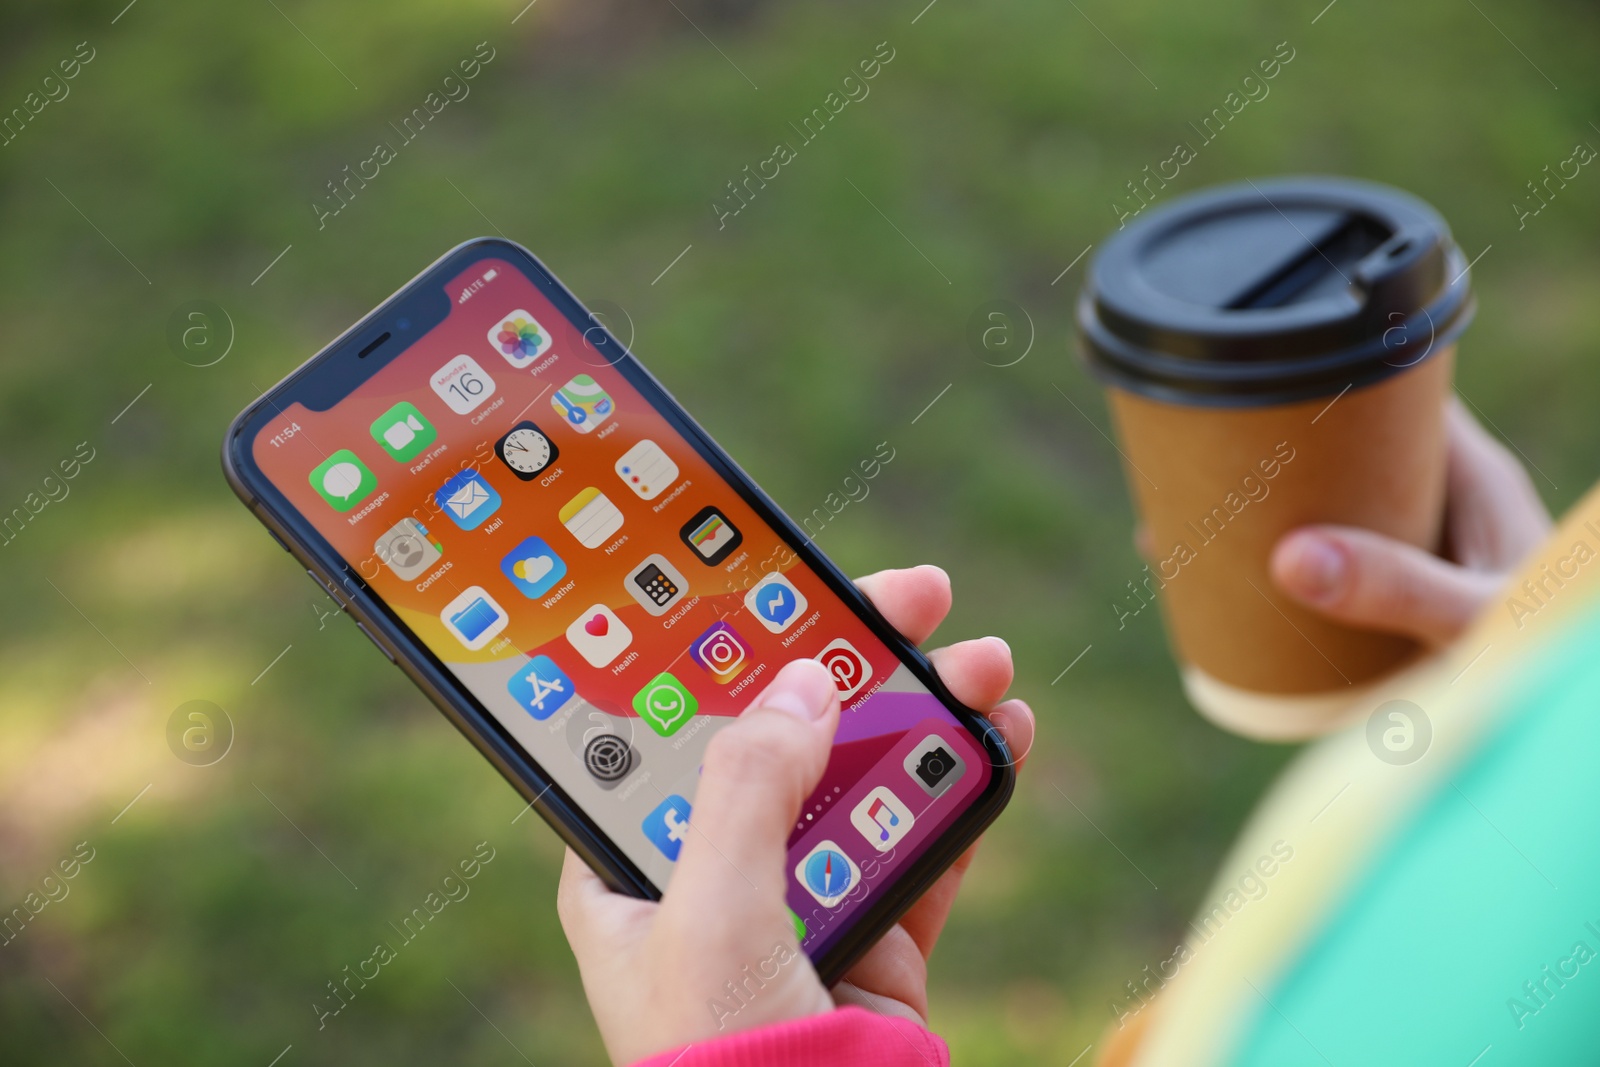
(1494, 518)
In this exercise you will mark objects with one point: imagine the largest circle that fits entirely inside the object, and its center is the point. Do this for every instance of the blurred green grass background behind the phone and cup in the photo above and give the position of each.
(802, 335)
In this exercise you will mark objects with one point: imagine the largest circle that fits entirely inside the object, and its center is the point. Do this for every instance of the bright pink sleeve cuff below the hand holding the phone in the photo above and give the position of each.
(849, 1037)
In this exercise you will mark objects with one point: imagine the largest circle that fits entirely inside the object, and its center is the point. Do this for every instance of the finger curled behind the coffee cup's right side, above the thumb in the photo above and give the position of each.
(1495, 514)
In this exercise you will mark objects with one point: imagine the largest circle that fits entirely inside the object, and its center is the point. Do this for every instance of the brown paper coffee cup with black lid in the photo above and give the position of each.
(1276, 354)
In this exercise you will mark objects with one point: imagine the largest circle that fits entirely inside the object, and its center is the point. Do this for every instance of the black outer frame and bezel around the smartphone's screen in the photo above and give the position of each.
(338, 369)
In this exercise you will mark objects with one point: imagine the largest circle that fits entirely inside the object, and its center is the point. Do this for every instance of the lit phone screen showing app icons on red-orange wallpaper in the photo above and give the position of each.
(582, 569)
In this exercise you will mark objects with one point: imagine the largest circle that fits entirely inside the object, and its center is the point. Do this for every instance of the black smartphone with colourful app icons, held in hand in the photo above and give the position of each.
(529, 526)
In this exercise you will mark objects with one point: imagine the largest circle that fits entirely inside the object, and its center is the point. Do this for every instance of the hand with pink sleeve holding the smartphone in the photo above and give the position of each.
(654, 973)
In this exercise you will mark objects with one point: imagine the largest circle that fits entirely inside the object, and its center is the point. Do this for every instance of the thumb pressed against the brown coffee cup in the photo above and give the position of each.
(1377, 583)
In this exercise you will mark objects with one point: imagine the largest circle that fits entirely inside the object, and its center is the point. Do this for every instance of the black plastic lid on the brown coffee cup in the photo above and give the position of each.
(1273, 292)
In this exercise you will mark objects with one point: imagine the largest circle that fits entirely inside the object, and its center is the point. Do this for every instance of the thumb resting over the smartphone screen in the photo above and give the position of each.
(756, 775)
